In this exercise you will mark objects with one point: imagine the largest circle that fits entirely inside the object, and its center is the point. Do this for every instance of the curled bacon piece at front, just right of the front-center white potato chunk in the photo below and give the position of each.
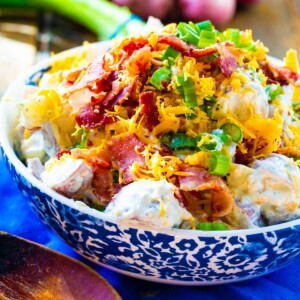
(200, 180)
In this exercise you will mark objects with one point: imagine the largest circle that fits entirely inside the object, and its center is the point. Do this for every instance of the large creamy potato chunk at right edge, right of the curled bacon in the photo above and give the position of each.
(272, 184)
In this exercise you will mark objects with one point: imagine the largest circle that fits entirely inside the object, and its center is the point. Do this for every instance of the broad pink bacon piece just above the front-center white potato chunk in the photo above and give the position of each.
(123, 154)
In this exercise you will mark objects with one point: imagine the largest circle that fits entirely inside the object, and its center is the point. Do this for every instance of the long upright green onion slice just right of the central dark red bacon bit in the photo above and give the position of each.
(187, 89)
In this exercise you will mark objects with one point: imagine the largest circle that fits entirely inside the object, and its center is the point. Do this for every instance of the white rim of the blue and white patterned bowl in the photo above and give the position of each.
(79, 205)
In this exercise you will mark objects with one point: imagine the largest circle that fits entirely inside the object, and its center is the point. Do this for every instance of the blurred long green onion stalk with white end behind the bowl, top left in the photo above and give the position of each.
(102, 17)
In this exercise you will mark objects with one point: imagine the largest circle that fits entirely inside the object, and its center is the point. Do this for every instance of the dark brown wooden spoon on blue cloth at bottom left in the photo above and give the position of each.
(29, 271)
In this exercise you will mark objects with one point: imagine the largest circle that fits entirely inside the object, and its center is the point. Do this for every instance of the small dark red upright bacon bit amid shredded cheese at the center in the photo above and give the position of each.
(149, 110)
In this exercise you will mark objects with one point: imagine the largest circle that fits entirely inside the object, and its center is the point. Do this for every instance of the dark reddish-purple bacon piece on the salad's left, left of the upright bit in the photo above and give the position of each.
(93, 116)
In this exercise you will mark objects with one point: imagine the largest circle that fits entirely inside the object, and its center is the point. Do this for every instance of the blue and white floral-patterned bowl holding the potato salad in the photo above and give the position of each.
(170, 256)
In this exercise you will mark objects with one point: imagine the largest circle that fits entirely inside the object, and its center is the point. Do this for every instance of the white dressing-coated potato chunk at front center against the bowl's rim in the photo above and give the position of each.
(149, 202)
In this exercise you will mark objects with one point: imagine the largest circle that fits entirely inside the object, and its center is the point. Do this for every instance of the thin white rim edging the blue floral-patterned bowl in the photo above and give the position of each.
(8, 111)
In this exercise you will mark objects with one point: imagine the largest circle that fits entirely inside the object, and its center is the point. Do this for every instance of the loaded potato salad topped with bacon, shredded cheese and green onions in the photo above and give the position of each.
(181, 126)
